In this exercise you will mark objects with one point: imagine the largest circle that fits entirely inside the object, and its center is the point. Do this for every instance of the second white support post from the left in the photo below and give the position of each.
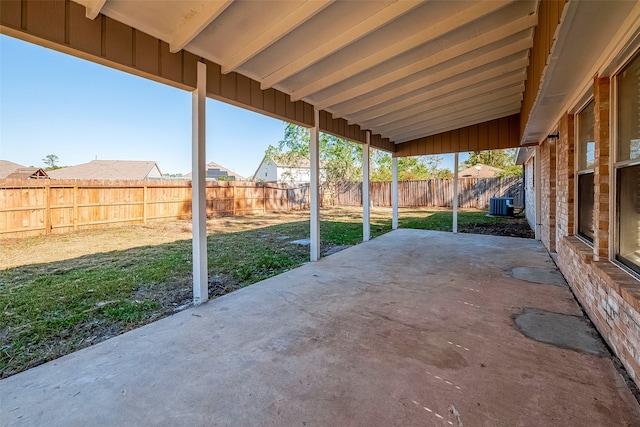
(314, 158)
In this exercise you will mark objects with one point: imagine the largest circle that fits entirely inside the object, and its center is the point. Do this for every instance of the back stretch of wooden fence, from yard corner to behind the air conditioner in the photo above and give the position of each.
(472, 192)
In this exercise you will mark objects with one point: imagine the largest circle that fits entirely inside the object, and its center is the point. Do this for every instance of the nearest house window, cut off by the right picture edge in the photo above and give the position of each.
(627, 165)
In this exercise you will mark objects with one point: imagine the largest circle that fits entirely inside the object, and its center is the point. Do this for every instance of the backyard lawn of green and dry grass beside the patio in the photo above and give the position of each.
(60, 293)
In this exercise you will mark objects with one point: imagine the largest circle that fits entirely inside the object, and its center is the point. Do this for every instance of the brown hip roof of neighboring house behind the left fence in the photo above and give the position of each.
(109, 170)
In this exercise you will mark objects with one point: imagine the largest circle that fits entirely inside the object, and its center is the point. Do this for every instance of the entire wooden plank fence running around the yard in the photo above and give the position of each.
(33, 207)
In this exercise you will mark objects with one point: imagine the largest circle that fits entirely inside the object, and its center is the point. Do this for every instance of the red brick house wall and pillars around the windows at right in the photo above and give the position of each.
(609, 295)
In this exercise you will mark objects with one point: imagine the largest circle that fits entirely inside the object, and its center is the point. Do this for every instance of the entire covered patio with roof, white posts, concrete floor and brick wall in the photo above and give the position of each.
(413, 328)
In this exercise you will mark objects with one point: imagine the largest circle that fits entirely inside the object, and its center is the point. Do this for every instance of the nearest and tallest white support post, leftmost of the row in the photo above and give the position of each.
(198, 189)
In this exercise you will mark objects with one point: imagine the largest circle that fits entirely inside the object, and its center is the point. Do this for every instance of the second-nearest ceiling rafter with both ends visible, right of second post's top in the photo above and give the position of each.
(445, 74)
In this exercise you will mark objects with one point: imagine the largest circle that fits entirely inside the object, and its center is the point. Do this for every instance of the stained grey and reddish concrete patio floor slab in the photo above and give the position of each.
(414, 328)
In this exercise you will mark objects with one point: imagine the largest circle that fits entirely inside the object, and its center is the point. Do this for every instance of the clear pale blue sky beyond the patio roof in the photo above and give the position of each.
(53, 103)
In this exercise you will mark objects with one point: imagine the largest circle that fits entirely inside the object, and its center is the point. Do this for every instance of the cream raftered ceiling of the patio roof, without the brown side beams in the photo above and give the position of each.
(361, 61)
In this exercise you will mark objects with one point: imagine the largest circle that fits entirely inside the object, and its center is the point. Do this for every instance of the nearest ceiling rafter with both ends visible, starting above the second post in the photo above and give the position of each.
(452, 52)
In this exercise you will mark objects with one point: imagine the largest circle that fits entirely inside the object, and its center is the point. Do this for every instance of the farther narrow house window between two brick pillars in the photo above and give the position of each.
(586, 157)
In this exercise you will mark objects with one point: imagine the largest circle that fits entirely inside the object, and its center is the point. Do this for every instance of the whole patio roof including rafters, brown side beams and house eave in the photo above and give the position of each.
(411, 72)
